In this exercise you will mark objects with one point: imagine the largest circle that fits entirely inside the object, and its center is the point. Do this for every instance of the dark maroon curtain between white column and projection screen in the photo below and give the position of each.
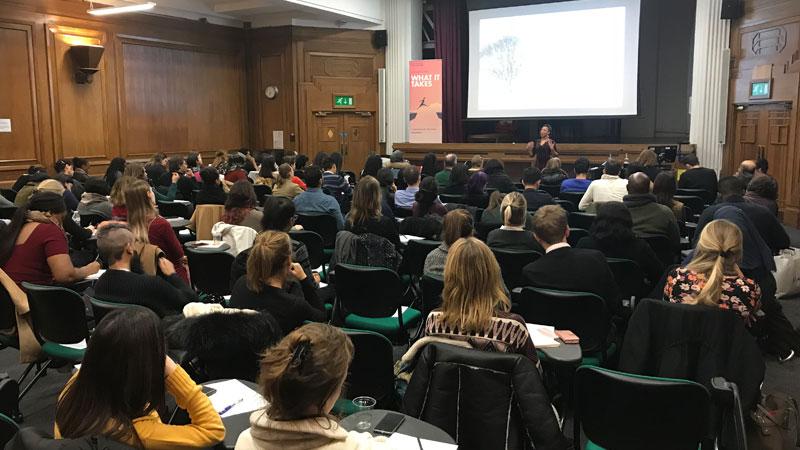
(450, 18)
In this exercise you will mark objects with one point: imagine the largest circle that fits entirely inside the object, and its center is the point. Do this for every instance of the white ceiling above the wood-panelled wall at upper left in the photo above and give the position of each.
(265, 13)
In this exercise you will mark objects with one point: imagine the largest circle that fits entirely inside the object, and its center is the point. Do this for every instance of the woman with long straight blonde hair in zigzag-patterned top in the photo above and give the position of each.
(475, 308)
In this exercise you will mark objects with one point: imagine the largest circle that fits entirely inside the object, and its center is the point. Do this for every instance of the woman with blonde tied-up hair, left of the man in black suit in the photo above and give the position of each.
(512, 235)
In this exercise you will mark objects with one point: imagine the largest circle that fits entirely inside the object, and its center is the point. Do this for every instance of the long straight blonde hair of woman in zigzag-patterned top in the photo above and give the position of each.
(473, 288)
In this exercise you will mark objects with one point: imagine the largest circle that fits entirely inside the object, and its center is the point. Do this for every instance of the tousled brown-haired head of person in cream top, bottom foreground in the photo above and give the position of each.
(302, 376)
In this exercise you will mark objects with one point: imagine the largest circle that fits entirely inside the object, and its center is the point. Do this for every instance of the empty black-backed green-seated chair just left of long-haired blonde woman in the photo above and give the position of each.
(369, 298)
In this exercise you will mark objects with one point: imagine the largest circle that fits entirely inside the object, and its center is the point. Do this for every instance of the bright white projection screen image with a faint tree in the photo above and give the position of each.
(577, 58)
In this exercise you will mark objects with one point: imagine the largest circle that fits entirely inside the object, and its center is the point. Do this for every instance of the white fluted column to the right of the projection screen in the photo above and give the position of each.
(710, 73)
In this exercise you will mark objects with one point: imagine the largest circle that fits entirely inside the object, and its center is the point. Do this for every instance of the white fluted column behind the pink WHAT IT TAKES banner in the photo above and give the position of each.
(404, 35)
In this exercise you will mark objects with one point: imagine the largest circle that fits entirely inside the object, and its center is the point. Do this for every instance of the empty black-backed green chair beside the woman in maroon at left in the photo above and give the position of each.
(59, 321)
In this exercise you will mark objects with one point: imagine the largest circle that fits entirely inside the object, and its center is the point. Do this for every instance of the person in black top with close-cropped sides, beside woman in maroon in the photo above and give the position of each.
(165, 296)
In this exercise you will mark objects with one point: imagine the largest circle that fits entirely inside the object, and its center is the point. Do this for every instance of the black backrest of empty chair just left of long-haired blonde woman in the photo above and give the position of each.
(368, 291)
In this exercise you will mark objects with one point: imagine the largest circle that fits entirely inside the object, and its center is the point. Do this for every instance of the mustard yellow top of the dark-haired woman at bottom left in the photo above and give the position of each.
(205, 429)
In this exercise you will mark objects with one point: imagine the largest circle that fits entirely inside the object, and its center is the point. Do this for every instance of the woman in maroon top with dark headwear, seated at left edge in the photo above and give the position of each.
(34, 248)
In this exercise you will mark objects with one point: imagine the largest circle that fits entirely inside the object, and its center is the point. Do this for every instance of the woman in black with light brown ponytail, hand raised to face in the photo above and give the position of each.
(275, 284)
